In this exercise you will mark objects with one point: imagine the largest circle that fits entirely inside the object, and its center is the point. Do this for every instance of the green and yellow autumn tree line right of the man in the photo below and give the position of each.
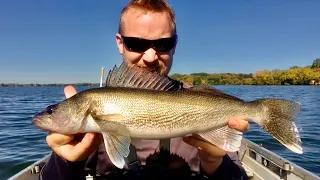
(292, 76)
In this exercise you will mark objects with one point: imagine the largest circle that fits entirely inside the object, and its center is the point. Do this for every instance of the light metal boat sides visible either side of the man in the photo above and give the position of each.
(258, 162)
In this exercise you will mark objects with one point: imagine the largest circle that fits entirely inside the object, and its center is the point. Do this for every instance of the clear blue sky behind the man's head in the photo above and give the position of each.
(69, 41)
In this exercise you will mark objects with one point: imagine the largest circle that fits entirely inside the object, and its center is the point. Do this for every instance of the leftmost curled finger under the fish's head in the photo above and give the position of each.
(57, 140)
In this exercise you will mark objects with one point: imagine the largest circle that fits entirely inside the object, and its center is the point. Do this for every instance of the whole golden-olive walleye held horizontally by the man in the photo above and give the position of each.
(138, 104)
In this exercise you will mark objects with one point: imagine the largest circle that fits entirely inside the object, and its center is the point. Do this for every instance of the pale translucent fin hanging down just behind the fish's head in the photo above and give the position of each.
(117, 147)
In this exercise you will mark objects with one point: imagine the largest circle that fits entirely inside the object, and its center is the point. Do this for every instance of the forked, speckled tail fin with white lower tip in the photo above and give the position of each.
(279, 122)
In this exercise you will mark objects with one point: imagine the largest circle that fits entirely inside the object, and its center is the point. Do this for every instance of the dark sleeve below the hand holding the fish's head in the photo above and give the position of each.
(59, 168)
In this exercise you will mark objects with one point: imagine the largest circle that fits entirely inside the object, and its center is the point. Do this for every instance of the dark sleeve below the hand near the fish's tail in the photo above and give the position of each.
(230, 168)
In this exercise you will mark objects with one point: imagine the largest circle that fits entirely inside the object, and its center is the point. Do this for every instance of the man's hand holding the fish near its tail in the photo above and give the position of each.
(211, 156)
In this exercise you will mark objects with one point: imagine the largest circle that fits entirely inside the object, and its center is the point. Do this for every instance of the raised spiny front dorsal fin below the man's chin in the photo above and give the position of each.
(138, 77)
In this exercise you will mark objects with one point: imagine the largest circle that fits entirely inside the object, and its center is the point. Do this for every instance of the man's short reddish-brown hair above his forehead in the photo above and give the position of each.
(149, 5)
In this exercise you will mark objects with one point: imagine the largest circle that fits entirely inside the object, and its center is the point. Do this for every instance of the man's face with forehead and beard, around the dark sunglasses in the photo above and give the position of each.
(151, 26)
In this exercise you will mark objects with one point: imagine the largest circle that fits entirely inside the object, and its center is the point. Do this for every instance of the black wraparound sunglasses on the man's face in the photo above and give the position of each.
(141, 45)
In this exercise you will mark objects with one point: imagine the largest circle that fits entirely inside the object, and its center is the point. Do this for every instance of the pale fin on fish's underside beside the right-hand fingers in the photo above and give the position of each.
(225, 138)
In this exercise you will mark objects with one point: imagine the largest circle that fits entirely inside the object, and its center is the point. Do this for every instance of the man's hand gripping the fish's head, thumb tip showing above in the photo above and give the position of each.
(73, 147)
